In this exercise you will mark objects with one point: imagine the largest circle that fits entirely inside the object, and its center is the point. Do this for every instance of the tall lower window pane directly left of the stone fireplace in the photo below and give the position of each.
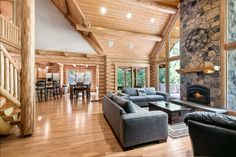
(174, 79)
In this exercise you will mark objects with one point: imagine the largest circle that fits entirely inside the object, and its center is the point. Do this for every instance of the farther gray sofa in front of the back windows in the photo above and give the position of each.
(143, 100)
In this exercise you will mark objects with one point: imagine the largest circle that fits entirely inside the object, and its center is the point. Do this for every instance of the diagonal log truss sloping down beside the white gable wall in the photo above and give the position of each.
(90, 37)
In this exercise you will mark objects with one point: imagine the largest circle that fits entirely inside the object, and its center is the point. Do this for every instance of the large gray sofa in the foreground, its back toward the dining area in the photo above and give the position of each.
(138, 127)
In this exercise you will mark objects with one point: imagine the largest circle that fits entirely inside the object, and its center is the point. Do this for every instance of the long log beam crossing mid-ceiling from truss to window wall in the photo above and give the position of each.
(116, 32)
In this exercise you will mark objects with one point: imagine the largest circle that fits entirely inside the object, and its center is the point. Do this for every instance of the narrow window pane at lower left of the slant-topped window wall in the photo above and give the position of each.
(162, 77)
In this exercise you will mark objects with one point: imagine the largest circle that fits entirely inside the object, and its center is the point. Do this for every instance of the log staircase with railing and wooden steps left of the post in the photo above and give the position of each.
(9, 92)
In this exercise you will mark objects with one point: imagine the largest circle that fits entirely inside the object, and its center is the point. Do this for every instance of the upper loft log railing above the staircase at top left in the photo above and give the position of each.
(9, 33)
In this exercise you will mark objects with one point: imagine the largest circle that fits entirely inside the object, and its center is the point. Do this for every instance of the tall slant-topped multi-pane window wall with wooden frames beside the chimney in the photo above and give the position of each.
(169, 62)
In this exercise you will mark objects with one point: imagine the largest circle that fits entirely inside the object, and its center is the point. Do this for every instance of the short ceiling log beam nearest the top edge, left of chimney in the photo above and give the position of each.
(154, 5)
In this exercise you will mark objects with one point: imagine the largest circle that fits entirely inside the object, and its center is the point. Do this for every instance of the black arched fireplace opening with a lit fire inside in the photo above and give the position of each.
(199, 94)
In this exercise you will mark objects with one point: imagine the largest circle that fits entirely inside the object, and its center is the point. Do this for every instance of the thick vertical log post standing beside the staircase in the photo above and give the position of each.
(27, 71)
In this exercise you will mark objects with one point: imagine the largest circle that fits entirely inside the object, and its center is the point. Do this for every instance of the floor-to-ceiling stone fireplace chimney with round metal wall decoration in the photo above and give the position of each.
(199, 46)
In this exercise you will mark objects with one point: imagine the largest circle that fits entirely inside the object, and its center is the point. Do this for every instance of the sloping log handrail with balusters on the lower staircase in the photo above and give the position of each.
(9, 77)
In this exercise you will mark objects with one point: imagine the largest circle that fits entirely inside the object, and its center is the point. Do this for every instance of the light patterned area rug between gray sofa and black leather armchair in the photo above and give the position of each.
(177, 130)
